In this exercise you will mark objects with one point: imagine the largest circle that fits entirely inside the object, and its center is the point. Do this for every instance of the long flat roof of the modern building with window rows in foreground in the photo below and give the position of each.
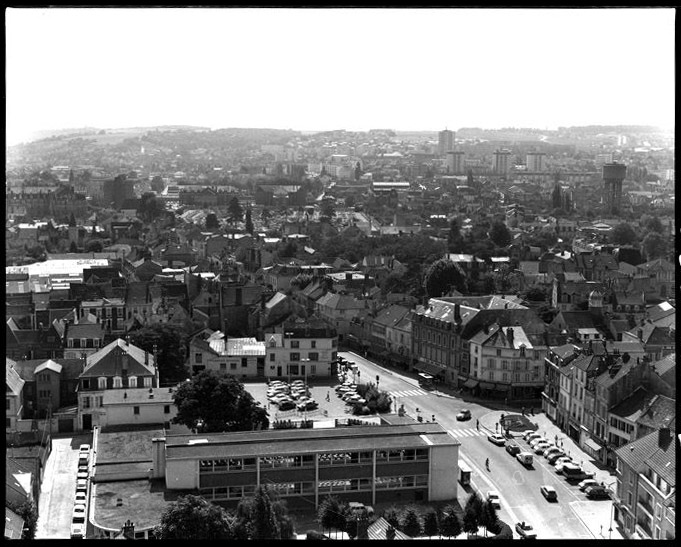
(282, 442)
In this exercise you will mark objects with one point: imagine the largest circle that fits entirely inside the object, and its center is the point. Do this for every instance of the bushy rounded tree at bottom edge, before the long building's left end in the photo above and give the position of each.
(192, 517)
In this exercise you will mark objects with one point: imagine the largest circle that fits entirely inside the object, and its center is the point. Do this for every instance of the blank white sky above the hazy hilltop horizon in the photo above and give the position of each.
(323, 69)
